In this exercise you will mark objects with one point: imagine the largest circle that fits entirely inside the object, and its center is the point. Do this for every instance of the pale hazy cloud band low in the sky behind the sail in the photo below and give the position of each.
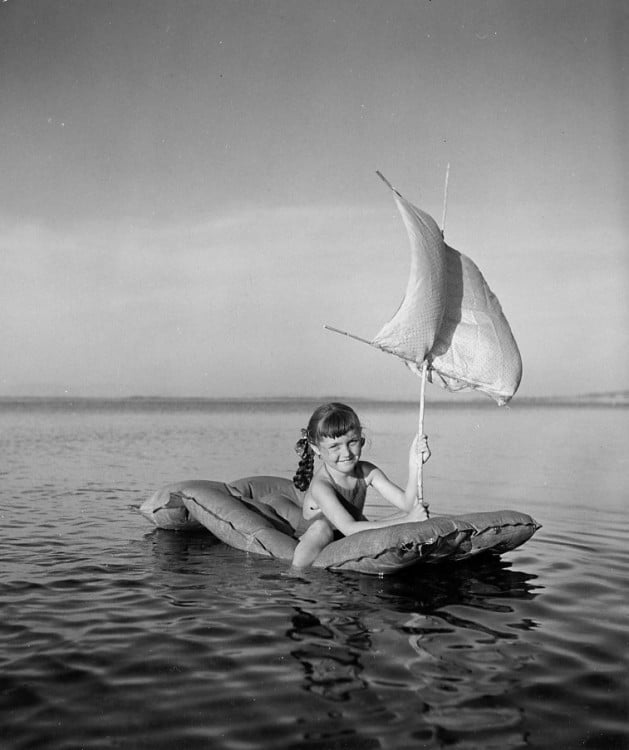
(235, 304)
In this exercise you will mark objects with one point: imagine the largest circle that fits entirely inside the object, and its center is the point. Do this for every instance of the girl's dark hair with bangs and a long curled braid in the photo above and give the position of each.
(329, 420)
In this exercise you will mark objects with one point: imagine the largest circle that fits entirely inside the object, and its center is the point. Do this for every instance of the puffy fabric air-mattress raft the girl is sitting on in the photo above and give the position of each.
(260, 514)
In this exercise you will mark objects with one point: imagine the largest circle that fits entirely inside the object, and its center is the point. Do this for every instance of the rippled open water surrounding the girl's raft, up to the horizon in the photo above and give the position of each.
(116, 635)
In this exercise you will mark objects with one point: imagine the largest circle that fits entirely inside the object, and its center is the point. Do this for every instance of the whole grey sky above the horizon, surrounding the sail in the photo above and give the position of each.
(189, 194)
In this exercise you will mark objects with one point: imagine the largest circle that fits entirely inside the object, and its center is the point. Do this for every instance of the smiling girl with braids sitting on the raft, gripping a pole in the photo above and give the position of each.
(336, 493)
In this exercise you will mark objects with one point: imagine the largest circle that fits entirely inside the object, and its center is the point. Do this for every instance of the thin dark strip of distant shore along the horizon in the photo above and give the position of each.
(618, 399)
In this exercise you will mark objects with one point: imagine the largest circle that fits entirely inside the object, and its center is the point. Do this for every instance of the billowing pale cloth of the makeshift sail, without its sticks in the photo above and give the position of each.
(450, 317)
